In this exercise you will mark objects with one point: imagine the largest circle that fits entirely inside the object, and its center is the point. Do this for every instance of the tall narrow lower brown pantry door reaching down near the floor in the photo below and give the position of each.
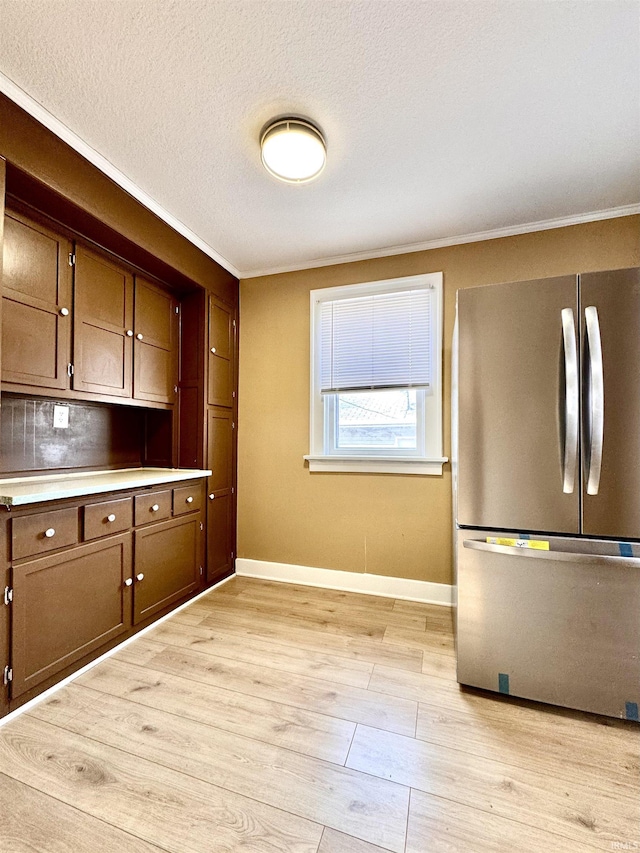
(220, 514)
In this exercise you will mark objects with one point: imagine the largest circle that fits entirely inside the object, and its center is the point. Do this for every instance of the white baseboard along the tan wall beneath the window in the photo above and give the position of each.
(410, 590)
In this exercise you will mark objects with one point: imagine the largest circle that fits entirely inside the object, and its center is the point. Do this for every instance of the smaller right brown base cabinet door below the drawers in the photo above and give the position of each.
(167, 566)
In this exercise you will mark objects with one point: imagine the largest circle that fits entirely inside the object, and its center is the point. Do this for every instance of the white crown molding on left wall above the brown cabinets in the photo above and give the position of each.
(42, 115)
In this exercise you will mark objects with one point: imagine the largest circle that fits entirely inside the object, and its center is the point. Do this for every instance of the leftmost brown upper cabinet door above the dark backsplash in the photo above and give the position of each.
(36, 304)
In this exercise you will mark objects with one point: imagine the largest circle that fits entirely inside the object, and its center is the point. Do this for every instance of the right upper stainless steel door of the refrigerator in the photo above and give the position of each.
(610, 320)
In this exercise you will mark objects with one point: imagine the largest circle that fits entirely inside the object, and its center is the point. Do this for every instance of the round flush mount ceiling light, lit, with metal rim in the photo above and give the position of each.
(293, 150)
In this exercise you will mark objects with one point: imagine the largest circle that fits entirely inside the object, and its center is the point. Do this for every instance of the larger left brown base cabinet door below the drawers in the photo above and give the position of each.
(67, 606)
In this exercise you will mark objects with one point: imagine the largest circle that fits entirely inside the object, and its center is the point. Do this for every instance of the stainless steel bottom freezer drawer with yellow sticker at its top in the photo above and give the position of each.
(558, 626)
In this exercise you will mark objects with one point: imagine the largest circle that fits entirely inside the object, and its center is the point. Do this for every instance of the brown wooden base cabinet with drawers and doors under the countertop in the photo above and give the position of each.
(80, 576)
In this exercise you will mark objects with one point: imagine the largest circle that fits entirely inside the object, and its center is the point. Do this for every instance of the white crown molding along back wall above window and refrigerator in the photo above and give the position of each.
(478, 236)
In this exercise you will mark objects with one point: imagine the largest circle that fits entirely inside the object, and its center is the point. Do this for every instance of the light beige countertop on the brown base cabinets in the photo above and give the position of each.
(18, 491)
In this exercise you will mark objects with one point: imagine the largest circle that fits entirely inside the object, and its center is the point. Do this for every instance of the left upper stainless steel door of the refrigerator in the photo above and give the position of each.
(518, 398)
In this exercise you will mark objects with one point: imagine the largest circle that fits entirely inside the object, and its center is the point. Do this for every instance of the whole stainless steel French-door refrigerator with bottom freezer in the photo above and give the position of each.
(547, 452)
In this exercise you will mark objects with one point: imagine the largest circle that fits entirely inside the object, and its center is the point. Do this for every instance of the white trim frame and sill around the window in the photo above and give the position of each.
(360, 463)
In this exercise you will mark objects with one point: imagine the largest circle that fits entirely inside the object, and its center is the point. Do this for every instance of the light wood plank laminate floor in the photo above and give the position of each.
(273, 718)
